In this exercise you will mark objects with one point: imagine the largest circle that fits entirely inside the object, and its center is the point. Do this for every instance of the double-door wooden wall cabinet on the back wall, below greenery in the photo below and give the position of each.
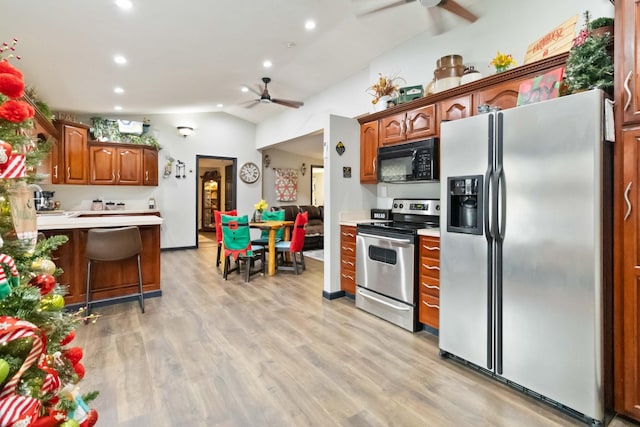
(111, 165)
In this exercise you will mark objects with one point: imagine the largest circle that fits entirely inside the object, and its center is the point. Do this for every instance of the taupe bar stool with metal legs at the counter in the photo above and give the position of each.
(113, 244)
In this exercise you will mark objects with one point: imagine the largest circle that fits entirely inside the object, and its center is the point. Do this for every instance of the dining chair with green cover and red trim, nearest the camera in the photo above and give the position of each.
(236, 237)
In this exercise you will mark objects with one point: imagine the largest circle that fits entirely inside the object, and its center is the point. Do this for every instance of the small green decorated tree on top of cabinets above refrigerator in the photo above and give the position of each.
(589, 64)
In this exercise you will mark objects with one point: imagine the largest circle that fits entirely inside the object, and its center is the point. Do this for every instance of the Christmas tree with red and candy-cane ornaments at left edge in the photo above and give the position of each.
(39, 367)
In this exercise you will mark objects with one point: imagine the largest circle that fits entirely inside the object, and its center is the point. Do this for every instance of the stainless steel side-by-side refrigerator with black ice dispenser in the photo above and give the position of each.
(521, 258)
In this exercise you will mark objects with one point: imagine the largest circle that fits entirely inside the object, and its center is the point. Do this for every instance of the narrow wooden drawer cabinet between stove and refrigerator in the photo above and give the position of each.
(429, 282)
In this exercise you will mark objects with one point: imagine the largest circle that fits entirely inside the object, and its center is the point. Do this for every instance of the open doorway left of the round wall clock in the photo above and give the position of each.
(215, 190)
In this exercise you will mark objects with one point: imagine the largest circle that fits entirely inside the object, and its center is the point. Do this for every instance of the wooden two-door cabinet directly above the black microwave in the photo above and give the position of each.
(408, 126)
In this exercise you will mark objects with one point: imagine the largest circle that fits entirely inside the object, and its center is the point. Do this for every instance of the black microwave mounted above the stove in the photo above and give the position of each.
(413, 161)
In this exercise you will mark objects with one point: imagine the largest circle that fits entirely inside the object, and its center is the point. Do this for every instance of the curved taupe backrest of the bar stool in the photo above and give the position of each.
(113, 244)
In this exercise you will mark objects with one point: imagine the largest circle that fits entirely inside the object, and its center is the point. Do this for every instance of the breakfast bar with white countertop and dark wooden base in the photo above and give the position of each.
(109, 279)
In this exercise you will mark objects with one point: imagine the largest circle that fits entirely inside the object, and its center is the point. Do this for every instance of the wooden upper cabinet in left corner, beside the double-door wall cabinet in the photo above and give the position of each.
(72, 162)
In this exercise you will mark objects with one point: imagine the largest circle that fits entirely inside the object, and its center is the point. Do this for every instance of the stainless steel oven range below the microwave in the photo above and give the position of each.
(387, 260)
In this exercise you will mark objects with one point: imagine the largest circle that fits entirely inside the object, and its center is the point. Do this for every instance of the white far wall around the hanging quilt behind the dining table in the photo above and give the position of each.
(285, 160)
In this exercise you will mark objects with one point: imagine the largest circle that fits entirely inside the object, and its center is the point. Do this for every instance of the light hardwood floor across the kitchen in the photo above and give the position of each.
(273, 352)
